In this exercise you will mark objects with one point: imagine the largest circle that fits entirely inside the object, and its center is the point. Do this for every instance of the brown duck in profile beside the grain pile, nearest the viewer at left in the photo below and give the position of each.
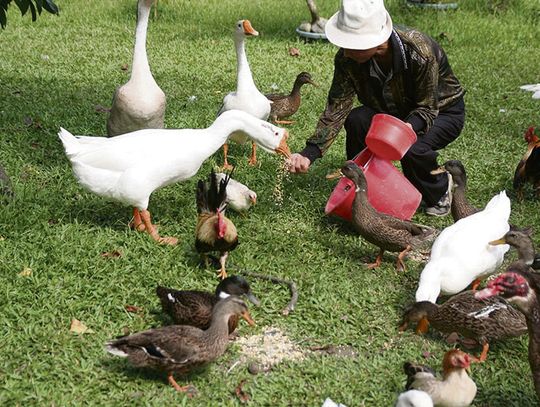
(181, 348)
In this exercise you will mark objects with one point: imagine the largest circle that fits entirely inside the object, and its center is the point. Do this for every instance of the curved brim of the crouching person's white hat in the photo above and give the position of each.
(349, 40)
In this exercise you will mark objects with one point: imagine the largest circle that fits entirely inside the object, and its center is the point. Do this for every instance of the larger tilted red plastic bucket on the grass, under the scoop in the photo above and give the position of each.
(388, 190)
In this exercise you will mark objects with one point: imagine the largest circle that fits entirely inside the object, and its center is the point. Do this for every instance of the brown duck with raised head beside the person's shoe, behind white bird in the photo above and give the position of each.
(460, 206)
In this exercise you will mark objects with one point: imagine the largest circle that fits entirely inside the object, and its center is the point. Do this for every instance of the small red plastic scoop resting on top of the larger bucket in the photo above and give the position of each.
(388, 137)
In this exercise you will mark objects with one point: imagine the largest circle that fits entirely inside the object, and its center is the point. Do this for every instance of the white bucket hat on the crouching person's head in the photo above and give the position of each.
(359, 24)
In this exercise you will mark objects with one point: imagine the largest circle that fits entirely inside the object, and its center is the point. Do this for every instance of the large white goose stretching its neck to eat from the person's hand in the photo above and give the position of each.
(128, 168)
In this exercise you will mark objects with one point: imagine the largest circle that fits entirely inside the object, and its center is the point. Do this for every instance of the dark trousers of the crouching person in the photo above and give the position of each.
(421, 158)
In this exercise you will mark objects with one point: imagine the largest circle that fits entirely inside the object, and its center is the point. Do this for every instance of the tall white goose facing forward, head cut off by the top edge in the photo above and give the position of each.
(140, 103)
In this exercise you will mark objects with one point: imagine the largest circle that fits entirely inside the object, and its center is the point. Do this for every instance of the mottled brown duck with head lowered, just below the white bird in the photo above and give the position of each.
(483, 321)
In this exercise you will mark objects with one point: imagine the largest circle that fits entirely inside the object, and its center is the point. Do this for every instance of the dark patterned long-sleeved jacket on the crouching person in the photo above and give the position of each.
(420, 83)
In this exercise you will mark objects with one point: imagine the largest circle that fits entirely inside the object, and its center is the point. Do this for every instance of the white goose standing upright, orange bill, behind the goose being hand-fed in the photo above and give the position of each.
(246, 97)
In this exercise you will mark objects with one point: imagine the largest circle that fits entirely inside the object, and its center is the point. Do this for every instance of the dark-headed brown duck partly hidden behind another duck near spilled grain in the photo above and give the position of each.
(191, 307)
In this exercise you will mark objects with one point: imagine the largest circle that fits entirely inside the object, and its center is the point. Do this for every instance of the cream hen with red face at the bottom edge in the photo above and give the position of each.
(456, 388)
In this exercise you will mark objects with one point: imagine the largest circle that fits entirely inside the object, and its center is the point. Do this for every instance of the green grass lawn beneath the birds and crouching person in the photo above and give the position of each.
(56, 71)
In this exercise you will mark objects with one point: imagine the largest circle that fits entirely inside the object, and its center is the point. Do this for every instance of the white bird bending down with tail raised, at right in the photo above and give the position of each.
(462, 254)
